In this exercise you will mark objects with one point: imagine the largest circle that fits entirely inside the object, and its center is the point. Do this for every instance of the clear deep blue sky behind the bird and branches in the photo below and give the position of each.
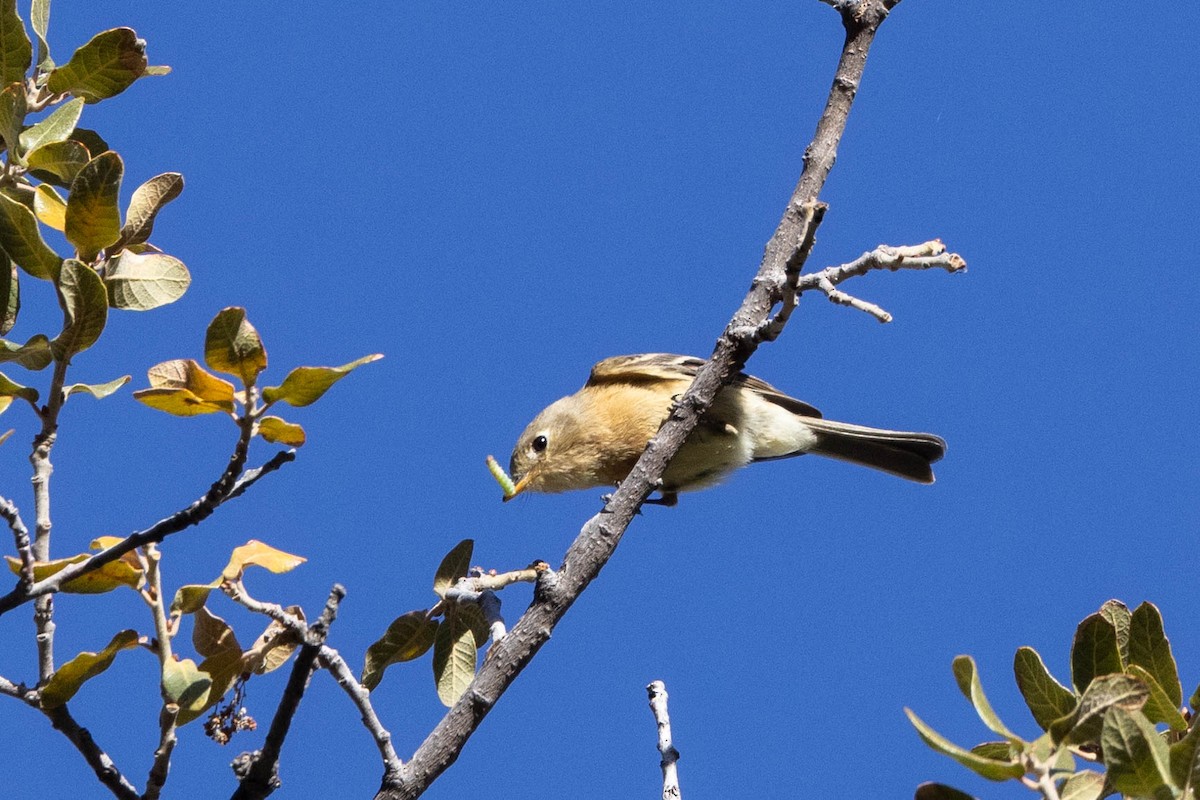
(496, 196)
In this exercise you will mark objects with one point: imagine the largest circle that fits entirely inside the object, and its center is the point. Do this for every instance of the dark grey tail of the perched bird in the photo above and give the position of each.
(901, 453)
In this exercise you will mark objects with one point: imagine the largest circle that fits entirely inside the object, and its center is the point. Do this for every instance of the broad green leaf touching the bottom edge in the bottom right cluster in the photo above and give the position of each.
(1137, 757)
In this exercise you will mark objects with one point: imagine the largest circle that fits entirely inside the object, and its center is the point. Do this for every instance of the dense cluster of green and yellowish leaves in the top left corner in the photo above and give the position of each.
(112, 263)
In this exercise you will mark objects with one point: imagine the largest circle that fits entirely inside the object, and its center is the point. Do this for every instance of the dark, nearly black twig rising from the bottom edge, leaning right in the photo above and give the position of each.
(261, 774)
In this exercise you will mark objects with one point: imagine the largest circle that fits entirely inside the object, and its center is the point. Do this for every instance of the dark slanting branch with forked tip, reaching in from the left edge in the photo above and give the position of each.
(231, 484)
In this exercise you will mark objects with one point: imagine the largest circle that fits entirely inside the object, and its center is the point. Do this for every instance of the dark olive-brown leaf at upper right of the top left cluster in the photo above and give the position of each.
(104, 68)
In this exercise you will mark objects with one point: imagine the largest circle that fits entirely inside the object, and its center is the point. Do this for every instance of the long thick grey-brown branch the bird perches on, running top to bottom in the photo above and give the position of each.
(556, 592)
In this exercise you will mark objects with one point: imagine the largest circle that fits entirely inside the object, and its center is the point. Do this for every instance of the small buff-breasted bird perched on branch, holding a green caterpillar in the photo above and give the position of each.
(595, 437)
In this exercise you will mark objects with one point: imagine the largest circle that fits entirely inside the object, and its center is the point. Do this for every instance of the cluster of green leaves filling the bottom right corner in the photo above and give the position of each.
(1123, 712)
